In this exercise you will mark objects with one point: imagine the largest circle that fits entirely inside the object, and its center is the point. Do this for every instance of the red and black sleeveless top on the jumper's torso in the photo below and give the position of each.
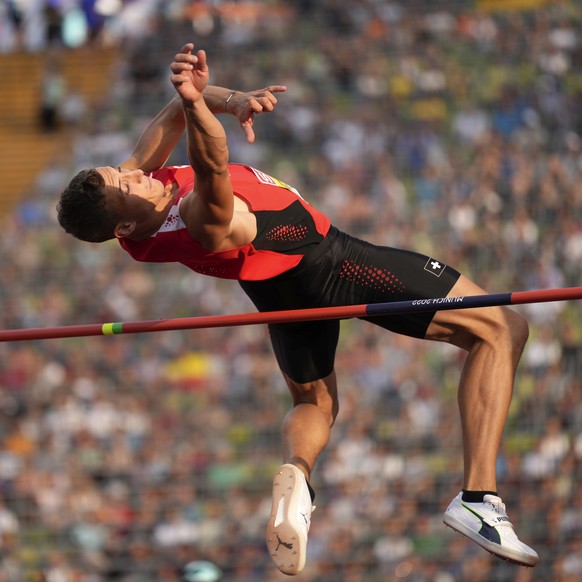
(287, 227)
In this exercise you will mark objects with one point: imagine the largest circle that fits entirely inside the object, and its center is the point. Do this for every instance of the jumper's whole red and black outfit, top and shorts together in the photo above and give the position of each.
(298, 260)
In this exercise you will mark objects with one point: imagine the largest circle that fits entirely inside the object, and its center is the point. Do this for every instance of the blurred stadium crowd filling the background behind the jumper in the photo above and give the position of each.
(437, 126)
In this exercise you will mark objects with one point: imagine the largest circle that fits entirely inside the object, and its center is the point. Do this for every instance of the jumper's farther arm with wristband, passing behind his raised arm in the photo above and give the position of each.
(162, 135)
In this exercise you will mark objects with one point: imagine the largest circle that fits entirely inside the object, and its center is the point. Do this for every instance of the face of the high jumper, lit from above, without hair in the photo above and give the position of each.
(139, 199)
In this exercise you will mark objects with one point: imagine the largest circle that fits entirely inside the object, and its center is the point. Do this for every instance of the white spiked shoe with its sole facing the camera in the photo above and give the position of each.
(288, 525)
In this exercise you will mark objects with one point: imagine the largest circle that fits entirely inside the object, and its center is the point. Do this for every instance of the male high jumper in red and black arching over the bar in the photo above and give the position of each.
(236, 222)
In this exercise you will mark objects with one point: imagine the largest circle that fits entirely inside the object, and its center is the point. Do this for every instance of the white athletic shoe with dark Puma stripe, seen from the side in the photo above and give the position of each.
(487, 524)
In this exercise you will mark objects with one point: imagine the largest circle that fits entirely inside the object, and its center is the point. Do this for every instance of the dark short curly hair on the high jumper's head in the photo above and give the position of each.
(82, 209)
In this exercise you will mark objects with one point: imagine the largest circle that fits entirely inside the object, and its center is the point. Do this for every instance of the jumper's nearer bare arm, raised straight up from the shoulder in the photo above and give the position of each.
(208, 211)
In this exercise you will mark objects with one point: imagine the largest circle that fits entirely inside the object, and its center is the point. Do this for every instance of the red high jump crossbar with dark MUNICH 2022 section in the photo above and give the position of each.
(294, 315)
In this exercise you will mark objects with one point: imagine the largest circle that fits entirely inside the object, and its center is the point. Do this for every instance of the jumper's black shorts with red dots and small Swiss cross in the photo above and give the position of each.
(344, 270)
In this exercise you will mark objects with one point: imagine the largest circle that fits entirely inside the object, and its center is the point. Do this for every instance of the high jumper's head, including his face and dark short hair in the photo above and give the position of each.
(103, 203)
